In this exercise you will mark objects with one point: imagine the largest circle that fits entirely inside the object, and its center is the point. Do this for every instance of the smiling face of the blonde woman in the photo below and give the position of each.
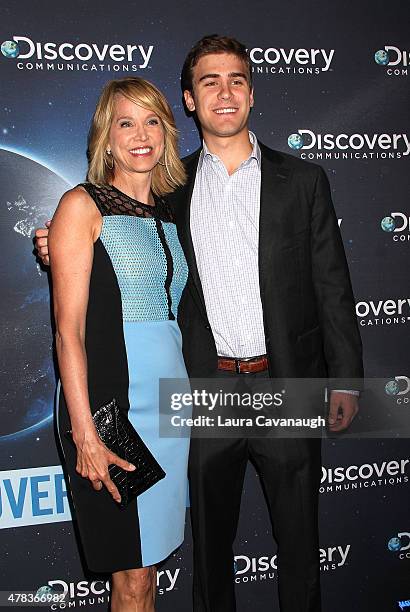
(136, 138)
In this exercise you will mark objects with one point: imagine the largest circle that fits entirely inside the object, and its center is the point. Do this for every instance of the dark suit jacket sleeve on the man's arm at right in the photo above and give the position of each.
(334, 295)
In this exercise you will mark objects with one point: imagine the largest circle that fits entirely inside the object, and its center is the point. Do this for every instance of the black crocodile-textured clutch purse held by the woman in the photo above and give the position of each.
(120, 437)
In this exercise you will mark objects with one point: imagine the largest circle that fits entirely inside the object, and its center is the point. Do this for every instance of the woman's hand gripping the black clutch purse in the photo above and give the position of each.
(93, 459)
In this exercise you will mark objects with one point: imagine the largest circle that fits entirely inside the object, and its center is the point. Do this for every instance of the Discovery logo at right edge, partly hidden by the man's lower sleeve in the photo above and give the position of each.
(383, 312)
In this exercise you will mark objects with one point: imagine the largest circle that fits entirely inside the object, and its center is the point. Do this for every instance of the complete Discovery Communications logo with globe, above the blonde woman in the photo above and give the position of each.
(68, 56)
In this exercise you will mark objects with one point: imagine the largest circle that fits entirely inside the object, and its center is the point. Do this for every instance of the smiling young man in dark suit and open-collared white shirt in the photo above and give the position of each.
(268, 295)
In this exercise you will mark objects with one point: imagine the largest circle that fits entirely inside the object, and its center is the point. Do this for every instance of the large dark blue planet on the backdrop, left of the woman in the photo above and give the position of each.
(30, 193)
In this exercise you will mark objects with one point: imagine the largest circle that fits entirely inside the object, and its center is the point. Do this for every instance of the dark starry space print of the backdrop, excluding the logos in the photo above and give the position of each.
(45, 116)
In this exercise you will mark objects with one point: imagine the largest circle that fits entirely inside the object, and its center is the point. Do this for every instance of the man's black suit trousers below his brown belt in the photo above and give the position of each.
(290, 471)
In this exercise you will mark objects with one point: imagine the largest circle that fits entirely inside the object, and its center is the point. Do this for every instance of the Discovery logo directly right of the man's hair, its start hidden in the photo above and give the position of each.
(280, 61)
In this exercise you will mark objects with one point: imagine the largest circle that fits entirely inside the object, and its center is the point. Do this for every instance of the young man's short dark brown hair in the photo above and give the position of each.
(213, 44)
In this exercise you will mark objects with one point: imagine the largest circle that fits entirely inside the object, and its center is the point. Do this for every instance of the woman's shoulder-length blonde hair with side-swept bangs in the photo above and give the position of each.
(166, 177)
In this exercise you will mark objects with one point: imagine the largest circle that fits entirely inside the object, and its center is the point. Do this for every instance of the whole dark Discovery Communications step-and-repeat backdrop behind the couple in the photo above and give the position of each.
(331, 86)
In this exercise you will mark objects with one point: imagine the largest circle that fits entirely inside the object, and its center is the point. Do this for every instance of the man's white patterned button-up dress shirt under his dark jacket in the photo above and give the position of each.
(225, 234)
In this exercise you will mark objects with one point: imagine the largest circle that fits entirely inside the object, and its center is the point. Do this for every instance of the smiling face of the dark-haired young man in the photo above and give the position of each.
(221, 97)
